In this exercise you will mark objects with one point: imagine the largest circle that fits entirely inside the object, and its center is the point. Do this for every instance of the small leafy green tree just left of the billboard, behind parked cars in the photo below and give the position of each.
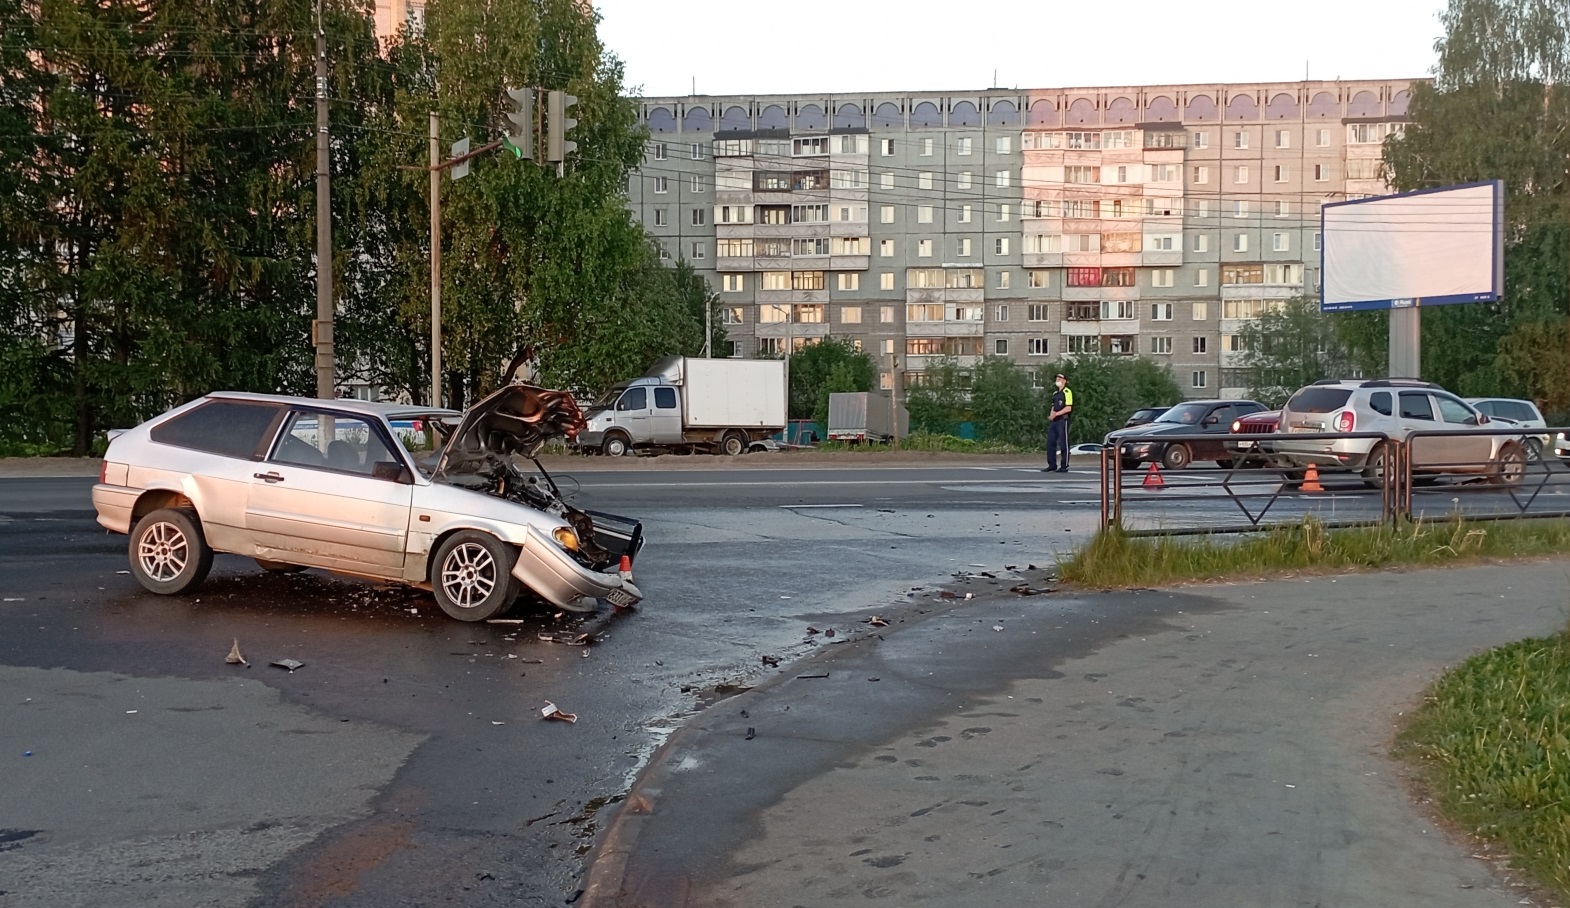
(1290, 346)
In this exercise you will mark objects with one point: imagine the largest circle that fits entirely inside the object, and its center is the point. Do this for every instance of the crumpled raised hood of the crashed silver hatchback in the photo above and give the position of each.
(514, 420)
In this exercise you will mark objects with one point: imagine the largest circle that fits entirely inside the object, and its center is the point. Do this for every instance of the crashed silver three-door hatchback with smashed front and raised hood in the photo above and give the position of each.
(412, 496)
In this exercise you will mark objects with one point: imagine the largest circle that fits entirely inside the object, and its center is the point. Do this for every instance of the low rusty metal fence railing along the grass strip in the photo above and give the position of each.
(1340, 478)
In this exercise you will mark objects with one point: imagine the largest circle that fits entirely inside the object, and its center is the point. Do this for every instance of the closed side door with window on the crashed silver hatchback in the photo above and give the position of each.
(332, 494)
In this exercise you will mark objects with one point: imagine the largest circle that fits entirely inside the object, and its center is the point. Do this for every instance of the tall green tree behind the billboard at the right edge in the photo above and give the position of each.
(1499, 109)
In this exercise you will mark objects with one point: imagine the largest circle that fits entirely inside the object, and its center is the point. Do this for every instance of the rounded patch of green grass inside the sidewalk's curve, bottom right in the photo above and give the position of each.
(1492, 744)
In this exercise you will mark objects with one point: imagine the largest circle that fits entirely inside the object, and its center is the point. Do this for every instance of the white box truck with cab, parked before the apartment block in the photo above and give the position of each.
(687, 403)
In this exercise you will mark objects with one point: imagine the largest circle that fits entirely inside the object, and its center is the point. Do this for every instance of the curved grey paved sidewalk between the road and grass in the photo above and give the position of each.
(1214, 745)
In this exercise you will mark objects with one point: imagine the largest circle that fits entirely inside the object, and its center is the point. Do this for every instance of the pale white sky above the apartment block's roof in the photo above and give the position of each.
(853, 46)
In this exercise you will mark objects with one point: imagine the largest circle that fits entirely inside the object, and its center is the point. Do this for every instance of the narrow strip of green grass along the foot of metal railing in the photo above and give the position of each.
(1114, 560)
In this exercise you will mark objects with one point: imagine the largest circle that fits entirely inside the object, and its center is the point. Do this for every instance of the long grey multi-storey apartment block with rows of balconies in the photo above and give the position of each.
(1031, 225)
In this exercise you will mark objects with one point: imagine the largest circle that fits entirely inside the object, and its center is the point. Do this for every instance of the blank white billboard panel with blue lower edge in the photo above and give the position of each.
(1420, 249)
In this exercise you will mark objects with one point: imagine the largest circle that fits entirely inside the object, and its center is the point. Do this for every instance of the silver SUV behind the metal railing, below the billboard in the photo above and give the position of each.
(1397, 408)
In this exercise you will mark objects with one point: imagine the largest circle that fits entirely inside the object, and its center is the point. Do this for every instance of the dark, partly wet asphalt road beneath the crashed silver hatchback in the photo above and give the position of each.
(406, 763)
